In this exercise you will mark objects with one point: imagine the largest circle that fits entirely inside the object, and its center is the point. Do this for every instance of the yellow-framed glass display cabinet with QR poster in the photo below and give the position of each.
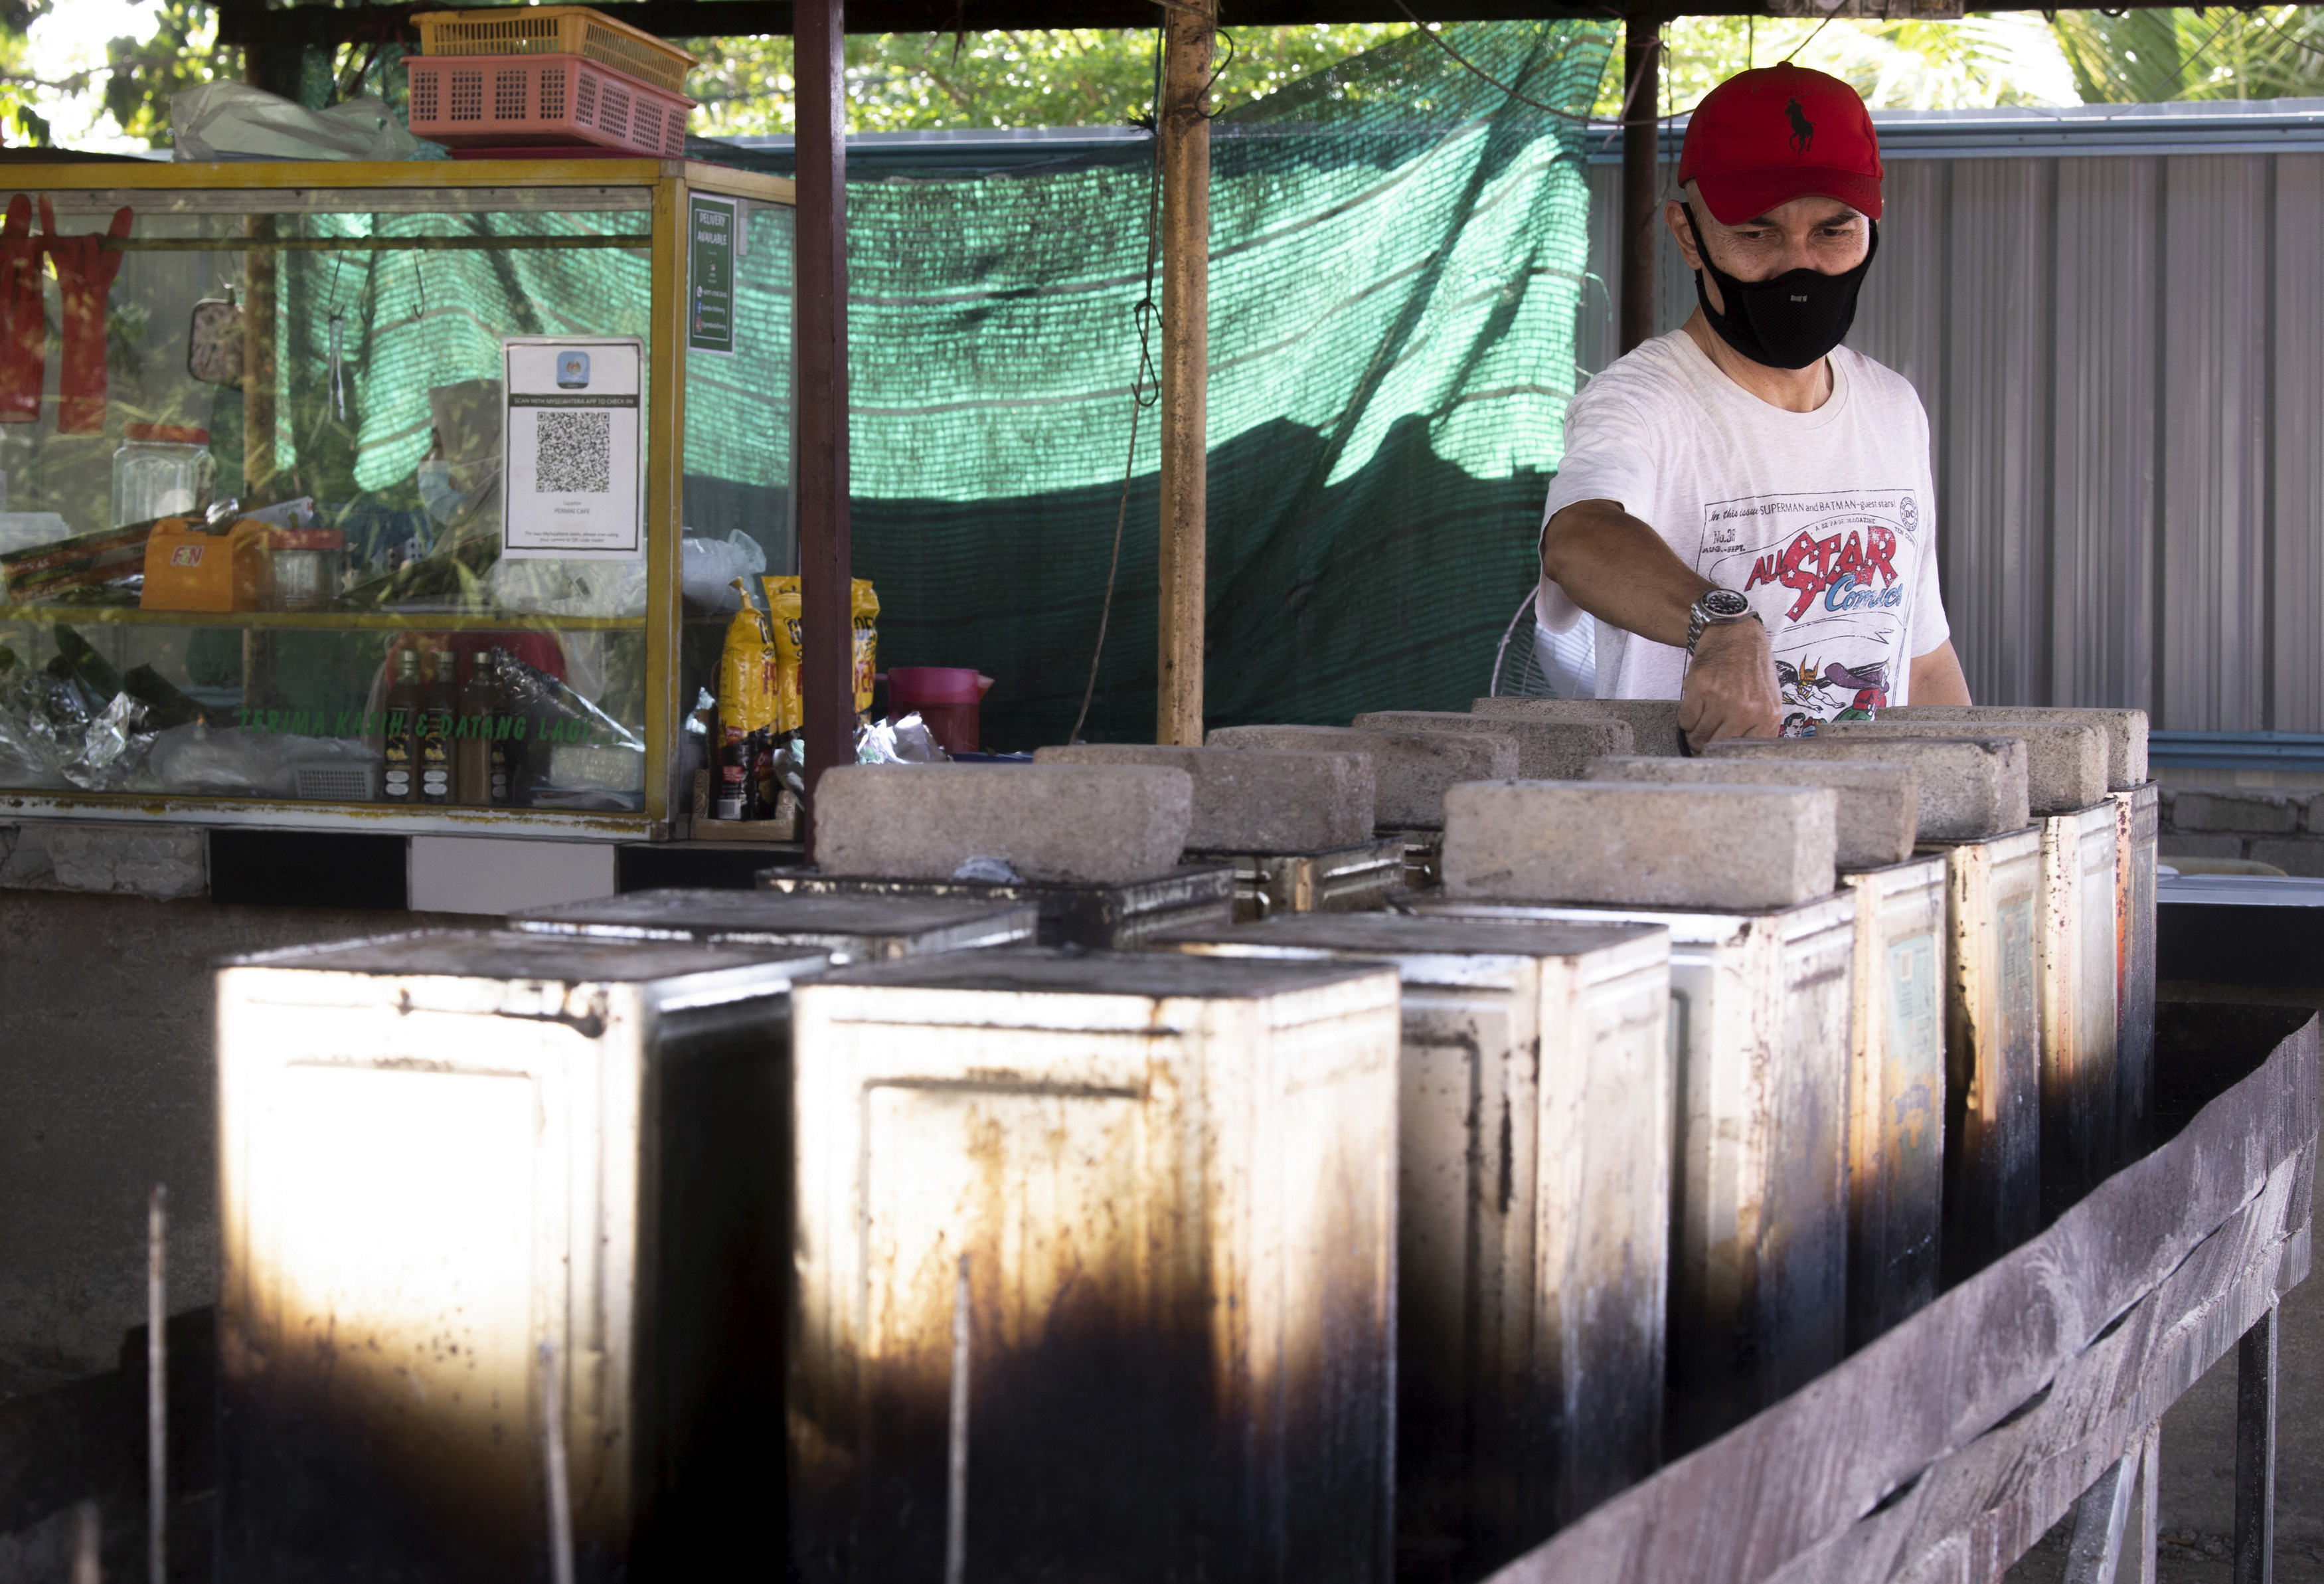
(382, 497)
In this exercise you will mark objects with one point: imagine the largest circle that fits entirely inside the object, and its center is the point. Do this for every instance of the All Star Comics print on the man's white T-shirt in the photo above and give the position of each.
(1828, 576)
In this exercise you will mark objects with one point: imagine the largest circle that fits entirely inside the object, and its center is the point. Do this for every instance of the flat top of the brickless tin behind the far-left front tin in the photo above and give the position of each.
(852, 929)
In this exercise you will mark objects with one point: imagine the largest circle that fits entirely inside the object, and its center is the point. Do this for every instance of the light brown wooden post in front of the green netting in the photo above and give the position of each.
(1186, 359)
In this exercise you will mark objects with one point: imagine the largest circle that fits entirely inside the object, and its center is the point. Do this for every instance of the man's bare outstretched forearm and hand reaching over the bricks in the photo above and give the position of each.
(1623, 573)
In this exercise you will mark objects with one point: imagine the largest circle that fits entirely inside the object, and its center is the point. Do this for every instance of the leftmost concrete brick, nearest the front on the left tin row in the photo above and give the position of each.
(1105, 825)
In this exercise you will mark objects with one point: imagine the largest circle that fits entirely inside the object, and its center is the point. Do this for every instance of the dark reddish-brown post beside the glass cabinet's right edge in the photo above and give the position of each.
(826, 632)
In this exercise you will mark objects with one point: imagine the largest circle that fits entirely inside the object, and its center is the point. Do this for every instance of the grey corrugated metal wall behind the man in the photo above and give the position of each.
(2123, 362)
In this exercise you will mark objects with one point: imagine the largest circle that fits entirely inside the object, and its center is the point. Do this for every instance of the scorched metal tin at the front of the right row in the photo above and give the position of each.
(1096, 1269)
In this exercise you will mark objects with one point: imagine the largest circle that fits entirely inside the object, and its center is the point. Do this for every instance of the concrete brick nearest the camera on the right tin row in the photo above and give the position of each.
(1640, 845)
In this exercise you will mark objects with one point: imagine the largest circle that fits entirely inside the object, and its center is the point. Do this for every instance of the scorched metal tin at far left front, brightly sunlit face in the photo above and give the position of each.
(480, 1185)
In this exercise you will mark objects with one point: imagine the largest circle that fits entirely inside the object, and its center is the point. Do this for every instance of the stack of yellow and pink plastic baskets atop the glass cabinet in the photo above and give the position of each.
(547, 76)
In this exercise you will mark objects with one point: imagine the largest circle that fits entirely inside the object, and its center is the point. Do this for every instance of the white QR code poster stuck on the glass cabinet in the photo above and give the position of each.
(575, 483)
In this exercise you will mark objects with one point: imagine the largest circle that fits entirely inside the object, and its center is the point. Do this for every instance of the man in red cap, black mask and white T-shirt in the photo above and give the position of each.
(1746, 508)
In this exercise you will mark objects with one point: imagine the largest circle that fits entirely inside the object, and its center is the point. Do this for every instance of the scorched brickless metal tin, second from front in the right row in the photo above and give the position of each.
(1533, 1215)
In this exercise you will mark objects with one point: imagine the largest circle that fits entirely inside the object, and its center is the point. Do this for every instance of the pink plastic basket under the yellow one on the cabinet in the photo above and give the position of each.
(482, 101)
